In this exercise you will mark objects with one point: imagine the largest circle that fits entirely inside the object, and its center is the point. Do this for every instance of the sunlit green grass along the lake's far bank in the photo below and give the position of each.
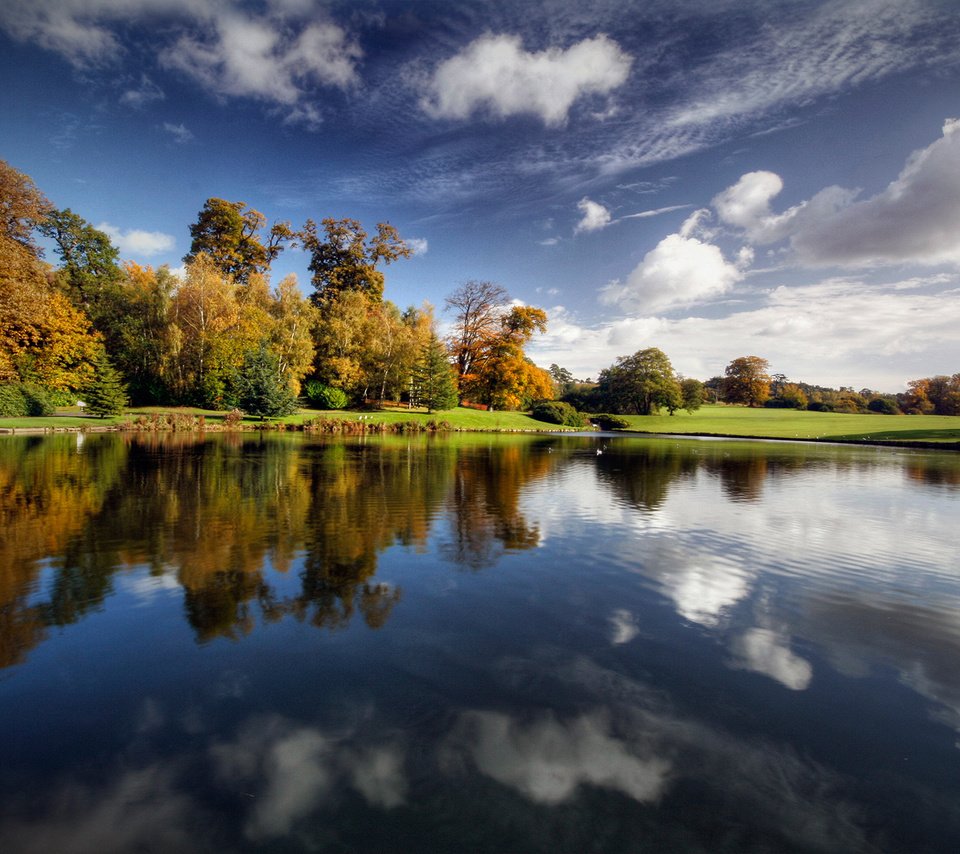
(717, 420)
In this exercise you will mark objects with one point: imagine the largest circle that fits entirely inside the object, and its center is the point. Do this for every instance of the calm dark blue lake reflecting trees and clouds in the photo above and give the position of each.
(489, 644)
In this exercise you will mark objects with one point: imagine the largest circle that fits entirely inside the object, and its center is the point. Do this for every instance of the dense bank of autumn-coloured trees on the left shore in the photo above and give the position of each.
(221, 336)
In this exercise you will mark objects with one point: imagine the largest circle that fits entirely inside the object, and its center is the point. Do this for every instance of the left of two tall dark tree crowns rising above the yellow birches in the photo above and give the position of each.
(229, 233)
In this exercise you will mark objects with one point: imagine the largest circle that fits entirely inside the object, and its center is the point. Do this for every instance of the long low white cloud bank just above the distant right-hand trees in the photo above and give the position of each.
(836, 332)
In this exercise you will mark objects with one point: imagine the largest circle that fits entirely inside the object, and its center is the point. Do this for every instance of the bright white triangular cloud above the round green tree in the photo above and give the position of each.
(681, 270)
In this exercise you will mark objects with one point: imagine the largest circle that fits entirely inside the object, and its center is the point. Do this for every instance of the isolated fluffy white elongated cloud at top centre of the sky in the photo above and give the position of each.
(495, 73)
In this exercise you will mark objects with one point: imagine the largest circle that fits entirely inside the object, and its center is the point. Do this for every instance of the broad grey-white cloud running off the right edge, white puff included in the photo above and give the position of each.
(915, 219)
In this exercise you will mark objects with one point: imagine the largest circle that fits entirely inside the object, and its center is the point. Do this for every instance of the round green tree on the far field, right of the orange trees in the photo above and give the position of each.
(641, 384)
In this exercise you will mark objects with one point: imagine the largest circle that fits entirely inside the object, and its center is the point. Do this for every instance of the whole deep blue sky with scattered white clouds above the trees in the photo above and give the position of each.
(716, 178)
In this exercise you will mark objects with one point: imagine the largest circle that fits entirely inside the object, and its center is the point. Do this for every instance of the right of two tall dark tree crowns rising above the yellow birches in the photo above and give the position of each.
(343, 259)
